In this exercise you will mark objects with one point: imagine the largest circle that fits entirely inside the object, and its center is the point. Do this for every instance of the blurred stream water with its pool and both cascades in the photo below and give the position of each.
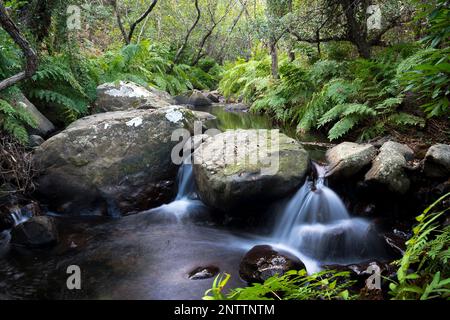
(151, 254)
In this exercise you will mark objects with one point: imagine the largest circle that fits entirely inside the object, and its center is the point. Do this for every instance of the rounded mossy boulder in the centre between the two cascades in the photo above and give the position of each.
(235, 167)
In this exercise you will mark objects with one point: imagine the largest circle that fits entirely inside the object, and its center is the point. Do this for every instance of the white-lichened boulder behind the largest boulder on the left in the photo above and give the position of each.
(123, 96)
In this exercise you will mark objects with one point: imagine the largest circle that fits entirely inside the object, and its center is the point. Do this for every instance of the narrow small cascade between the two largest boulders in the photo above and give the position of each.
(186, 202)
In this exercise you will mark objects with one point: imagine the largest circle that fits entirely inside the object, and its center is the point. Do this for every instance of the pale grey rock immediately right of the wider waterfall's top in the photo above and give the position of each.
(348, 159)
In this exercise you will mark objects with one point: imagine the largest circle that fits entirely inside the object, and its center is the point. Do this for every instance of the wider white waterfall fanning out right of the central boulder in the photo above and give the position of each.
(316, 223)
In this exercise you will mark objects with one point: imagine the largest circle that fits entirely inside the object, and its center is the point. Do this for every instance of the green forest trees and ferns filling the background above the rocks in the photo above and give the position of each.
(342, 67)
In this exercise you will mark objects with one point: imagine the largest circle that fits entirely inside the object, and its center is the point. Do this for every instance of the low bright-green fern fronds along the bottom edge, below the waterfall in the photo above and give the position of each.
(294, 285)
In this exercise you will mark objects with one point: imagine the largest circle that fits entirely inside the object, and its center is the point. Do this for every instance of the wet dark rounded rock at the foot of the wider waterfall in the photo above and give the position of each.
(263, 262)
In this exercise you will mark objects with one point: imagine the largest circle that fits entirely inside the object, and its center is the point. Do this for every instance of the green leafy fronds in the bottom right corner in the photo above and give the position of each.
(428, 254)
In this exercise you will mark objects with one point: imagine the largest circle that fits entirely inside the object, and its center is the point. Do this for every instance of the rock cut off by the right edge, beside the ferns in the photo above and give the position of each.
(437, 161)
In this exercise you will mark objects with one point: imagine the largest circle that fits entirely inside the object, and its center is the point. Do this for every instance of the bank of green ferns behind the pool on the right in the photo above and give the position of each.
(362, 96)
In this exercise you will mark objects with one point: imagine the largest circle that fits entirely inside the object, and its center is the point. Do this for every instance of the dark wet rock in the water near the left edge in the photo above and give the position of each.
(37, 232)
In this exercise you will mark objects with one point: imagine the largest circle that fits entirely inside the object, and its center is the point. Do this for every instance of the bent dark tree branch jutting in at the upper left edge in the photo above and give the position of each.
(29, 53)
